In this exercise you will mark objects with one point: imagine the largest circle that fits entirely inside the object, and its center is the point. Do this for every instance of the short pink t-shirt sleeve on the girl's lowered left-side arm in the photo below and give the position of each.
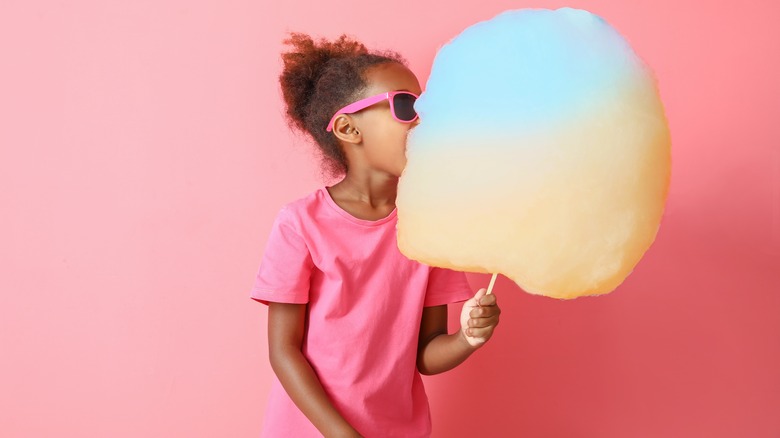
(286, 266)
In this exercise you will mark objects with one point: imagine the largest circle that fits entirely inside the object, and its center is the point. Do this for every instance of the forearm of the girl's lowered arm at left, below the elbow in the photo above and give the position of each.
(305, 389)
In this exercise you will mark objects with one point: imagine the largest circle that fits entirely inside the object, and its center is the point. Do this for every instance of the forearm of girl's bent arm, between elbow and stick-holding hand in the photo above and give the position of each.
(443, 353)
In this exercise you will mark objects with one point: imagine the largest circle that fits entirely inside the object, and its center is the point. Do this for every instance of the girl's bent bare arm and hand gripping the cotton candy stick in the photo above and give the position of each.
(438, 351)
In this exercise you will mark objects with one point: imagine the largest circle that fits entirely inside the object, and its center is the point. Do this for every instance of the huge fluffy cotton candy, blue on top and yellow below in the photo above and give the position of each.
(542, 153)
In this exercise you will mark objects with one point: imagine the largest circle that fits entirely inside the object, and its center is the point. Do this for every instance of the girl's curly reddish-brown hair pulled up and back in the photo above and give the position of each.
(319, 77)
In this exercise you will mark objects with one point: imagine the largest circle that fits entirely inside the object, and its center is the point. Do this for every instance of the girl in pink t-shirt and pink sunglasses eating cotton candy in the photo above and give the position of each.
(352, 322)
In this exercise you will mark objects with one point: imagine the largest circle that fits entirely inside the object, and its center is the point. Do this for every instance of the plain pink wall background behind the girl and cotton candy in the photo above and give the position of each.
(143, 158)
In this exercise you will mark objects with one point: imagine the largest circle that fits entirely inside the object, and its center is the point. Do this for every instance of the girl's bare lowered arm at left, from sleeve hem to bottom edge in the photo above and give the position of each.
(285, 337)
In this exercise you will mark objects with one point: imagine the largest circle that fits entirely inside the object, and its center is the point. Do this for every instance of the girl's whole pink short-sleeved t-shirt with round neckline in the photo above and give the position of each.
(365, 302)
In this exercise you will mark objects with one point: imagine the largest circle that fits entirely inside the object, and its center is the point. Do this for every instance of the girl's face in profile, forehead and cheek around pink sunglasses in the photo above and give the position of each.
(384, 138)
